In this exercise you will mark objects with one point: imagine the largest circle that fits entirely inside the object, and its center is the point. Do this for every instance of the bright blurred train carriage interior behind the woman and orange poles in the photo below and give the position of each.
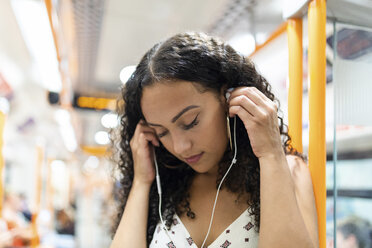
(63, 63)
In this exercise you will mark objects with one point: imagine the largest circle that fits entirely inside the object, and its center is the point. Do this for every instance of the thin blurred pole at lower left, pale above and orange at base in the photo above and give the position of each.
(40, 157)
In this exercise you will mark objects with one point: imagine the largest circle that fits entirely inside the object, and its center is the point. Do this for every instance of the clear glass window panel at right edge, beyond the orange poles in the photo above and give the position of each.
(349, 167)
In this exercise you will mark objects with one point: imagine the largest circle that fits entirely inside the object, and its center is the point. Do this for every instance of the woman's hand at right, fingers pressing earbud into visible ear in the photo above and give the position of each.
(259, 115)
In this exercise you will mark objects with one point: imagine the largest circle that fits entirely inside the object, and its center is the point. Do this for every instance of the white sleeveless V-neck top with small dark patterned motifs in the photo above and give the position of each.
(241, 233)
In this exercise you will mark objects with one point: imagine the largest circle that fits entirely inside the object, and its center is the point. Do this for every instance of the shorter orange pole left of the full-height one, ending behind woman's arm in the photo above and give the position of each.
(294, 34)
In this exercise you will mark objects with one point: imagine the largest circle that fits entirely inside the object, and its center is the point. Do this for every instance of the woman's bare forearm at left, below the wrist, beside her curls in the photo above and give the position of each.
(132, 229)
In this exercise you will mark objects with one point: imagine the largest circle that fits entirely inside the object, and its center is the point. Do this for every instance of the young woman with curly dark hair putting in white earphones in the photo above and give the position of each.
(181, 103)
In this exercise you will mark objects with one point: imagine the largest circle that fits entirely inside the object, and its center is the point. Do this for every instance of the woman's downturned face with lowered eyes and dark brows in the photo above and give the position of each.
(191, 125)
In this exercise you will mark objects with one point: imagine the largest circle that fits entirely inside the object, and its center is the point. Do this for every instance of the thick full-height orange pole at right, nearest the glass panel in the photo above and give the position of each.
(317, 87)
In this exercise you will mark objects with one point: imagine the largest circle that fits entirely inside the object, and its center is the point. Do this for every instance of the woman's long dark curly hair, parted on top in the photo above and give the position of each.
(210, 63)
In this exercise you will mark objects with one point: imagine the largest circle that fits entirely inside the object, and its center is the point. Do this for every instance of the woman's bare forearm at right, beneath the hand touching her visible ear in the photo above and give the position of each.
(281, 222)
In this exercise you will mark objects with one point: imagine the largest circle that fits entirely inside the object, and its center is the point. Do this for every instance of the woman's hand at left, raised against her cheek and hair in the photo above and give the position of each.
(142, 143)
